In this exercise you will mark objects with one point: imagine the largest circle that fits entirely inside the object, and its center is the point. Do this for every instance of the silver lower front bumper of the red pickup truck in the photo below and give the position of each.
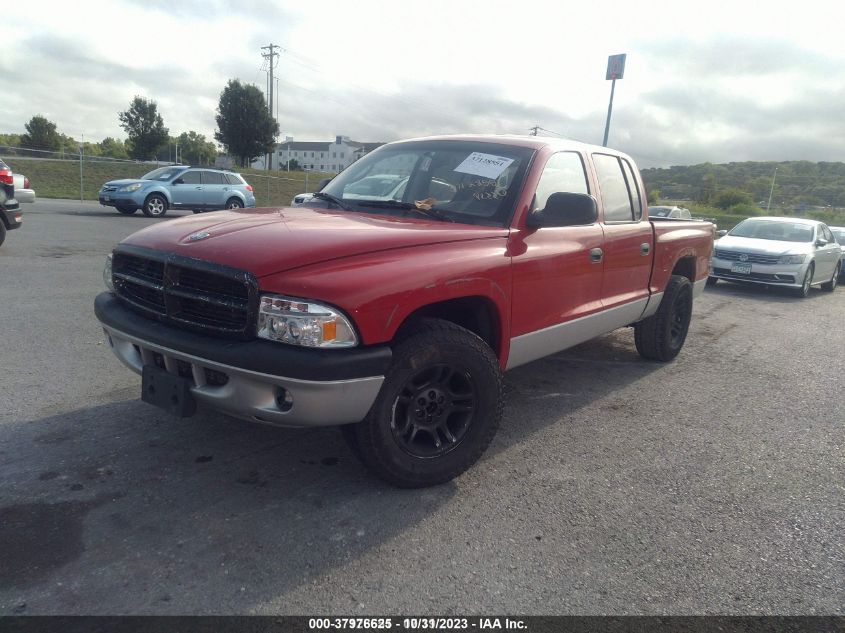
(251, 395)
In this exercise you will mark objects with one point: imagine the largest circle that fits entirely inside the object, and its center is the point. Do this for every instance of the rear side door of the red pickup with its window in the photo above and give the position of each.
(628, 239)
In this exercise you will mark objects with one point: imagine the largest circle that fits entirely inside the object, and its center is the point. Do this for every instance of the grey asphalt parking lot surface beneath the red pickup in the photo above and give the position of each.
(713, 484)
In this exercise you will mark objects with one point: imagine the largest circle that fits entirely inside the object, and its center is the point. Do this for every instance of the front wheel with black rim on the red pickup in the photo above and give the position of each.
(437, 411)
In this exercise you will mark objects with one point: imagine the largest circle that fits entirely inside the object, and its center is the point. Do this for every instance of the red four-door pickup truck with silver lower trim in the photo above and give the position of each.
(393, 300)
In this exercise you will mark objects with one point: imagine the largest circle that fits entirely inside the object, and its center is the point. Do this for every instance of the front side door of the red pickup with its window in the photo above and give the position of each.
(557, 275)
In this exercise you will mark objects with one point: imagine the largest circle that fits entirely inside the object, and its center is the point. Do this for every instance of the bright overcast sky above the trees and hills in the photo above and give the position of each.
(705, 81)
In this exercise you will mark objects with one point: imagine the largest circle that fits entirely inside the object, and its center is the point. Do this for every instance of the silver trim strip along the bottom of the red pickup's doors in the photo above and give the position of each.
(535, 345)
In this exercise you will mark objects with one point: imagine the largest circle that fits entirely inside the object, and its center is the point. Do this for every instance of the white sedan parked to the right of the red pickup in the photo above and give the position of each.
(792, 252)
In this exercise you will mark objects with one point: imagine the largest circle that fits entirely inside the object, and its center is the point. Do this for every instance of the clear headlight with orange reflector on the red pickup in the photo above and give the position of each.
(300, 322)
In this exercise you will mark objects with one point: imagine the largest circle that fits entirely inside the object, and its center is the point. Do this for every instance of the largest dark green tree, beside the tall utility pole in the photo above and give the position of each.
(244, 126)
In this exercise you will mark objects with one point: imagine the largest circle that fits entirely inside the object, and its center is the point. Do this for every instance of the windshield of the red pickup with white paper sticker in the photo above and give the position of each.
(470, 182)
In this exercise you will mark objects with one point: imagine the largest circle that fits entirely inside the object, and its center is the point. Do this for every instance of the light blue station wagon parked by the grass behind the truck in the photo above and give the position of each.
(178, 187)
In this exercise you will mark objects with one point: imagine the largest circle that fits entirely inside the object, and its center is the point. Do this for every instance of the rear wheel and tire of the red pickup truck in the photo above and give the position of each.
(662, 335)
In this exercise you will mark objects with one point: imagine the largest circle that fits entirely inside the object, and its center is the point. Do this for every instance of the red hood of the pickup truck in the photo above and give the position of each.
(268, 241)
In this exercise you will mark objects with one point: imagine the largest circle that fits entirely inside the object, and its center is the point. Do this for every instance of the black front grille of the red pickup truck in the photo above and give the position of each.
(186, 292)
